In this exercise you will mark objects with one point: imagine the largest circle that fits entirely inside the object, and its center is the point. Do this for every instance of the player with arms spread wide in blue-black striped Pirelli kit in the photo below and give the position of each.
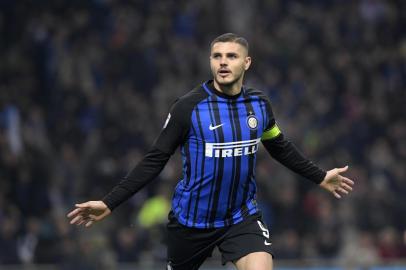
(218, 126)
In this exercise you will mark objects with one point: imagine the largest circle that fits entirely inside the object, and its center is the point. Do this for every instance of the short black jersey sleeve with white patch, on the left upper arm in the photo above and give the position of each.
(175, 129)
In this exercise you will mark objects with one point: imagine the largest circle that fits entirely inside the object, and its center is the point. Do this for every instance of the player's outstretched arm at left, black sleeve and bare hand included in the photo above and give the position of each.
(172, 135)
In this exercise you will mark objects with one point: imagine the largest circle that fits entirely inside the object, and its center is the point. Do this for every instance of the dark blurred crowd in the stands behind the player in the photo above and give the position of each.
(85, 87)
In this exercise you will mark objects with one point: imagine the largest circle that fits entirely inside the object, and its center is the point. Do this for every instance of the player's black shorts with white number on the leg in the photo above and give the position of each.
(189, 247)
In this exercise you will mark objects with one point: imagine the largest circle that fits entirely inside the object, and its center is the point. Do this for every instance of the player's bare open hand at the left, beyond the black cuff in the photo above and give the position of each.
(88, 213)
